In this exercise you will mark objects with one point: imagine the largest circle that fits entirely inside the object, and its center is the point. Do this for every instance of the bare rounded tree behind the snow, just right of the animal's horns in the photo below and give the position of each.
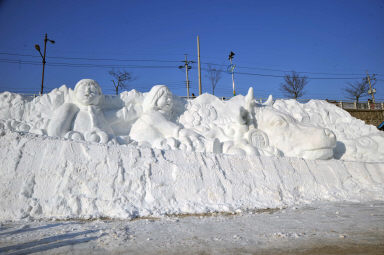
(294, 85)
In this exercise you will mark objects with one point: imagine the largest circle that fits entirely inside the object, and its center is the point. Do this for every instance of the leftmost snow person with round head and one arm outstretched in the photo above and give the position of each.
(84, 118)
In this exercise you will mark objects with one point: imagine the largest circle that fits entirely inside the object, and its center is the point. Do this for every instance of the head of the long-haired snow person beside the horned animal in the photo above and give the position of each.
(159, 98)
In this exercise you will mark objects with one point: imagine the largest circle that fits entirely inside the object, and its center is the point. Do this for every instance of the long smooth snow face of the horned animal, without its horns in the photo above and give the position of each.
(294, 138)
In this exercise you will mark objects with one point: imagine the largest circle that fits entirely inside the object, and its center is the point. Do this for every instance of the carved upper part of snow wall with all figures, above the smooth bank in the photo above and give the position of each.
(158, 119)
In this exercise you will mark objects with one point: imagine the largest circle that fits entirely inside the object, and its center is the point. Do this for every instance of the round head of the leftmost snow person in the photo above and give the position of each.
(88, 92)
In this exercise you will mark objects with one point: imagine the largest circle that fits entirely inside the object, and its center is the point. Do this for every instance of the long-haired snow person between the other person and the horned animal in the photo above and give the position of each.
(155, 128)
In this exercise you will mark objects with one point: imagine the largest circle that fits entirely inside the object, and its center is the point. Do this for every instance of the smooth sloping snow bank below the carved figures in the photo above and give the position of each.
(43, 177)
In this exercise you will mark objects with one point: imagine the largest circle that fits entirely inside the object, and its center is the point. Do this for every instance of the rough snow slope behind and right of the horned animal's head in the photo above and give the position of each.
(355, 140)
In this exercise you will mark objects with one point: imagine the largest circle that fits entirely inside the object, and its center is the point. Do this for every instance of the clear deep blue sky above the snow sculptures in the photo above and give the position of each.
(341, 37)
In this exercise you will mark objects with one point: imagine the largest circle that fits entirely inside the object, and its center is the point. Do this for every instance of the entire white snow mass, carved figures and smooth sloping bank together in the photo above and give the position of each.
(80, 154)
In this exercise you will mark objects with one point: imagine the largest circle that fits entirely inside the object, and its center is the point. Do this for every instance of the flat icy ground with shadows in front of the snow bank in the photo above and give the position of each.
(319, 228)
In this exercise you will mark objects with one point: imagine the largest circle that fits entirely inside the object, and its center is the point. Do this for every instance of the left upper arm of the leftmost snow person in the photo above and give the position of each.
(61, 122)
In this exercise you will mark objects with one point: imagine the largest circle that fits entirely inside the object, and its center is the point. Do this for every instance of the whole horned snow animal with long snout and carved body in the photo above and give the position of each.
(256, 129)
